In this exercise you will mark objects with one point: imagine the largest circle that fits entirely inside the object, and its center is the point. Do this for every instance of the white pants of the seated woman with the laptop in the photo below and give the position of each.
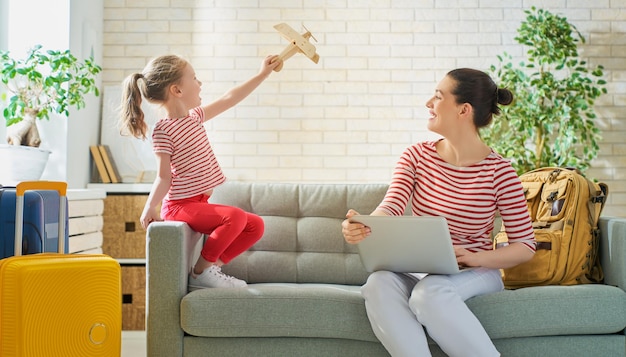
(400, 306)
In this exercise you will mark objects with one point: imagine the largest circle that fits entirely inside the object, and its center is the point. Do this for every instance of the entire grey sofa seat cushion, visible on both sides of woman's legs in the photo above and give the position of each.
(338, 311)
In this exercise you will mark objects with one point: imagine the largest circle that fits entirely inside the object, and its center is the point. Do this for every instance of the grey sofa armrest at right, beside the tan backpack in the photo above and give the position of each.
(613, 250)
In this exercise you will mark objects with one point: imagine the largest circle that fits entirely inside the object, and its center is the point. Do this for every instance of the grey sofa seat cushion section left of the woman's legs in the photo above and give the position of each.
(272, 310)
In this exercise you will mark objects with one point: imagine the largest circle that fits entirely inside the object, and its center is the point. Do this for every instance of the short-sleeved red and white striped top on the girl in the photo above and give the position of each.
(195, 169)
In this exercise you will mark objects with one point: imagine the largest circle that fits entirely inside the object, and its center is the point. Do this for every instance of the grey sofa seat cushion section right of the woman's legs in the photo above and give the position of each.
(551, 310)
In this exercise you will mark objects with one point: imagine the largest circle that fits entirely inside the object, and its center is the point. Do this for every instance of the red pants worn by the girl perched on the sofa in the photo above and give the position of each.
(231, 230)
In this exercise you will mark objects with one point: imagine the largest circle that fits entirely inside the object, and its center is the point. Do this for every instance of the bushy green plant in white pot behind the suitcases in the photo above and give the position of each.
(42, 83)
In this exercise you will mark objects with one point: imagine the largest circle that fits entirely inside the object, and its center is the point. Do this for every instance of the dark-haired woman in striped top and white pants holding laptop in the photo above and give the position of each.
(465, 181)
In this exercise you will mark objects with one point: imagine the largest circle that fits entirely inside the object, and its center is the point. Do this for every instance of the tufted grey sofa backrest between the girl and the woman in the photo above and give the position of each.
(302, 241)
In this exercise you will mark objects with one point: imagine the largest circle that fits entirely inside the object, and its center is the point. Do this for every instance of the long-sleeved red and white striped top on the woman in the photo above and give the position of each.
(468, 197)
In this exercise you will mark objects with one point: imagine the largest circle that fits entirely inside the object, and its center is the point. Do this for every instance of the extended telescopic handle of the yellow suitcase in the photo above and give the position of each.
(20, 189)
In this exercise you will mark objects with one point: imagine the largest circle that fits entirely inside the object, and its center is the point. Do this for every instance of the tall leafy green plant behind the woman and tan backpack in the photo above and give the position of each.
(551, 121)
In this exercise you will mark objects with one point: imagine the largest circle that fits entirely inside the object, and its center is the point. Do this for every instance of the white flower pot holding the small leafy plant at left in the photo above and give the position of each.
(21, 163)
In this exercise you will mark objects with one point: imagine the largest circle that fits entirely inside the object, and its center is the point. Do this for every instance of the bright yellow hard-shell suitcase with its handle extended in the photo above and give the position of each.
(54, 304)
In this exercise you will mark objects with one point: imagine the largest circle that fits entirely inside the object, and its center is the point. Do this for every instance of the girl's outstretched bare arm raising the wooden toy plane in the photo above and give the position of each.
(238, 93)
